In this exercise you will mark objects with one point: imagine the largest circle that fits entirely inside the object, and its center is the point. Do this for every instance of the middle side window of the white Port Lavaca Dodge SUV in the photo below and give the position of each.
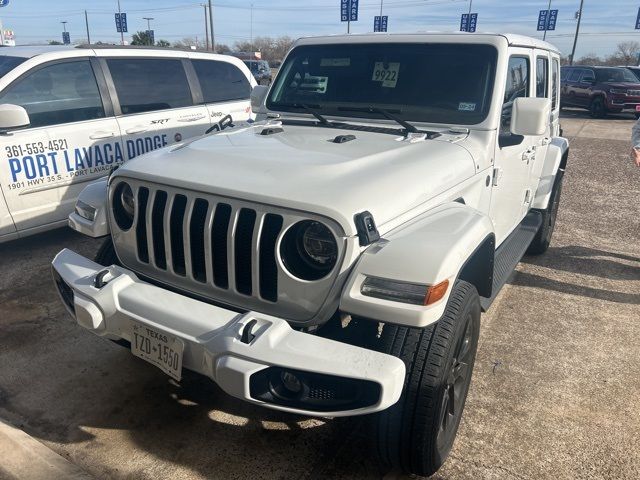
(146, 85)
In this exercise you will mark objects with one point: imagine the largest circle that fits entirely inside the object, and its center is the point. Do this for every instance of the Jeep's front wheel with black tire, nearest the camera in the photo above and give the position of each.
(417, 433)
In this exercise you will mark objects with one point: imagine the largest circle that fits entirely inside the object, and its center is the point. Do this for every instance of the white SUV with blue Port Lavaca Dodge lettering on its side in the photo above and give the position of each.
(69, 115)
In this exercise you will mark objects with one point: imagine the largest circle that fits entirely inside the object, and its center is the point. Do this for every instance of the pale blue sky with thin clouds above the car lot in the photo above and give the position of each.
(605, 22)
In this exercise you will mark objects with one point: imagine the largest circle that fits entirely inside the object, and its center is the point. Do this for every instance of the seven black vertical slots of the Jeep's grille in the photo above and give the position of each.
(197, 226)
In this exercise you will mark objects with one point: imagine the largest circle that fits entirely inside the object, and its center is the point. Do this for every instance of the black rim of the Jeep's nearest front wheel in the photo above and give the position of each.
(455, 386)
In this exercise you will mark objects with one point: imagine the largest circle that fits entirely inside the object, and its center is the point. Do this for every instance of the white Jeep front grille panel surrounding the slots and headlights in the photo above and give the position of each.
(221, 248)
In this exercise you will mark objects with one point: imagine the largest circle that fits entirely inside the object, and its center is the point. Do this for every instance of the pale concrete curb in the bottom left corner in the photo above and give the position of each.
(23, 457)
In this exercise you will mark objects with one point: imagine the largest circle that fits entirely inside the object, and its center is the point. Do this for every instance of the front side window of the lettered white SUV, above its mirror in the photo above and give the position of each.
(59, 93)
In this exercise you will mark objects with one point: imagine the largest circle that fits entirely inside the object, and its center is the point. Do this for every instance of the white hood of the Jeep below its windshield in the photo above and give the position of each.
(301, 168)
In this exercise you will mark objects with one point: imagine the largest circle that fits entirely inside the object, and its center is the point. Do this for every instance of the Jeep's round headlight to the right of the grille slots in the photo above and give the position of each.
(309, 250)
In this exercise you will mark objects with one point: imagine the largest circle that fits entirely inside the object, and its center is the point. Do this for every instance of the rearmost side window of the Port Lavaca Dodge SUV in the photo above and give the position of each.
(221, 81)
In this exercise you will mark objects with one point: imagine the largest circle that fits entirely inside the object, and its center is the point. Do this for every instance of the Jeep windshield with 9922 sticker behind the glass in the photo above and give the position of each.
(435, 83)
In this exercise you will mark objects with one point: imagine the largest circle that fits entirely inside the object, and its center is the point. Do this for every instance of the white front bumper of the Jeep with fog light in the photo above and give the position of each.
(213, 344)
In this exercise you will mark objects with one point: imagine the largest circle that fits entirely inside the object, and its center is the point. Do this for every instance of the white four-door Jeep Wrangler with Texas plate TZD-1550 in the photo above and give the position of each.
(333, 258)
